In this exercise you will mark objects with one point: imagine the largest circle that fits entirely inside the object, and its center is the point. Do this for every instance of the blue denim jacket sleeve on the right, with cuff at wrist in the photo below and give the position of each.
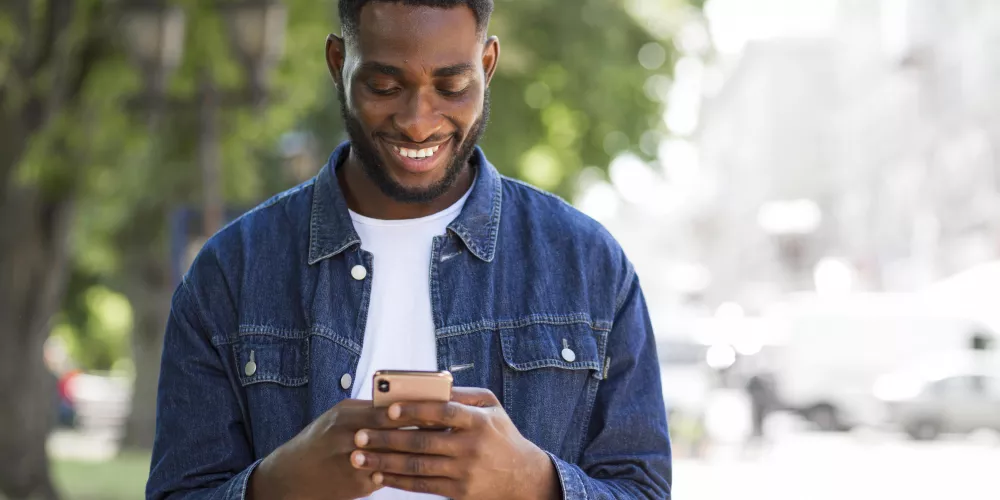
(627, 452)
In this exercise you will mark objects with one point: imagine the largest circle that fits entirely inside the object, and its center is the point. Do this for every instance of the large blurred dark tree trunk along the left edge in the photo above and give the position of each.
(49, 51)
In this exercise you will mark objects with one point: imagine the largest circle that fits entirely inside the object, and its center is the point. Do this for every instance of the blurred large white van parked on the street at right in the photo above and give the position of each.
(835, 349)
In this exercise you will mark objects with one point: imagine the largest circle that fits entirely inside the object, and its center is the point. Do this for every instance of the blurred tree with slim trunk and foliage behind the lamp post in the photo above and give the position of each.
(134, 245)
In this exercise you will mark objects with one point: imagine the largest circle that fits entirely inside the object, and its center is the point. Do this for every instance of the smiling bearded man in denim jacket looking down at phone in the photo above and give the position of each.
(409, 251)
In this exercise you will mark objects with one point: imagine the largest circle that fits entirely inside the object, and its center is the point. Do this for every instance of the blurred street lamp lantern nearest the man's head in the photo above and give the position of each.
(257, 35)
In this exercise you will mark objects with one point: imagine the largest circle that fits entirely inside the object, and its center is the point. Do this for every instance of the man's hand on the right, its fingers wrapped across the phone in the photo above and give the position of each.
(482, 456)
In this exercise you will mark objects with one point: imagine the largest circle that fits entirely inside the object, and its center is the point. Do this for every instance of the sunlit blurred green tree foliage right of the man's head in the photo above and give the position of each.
(569, 91)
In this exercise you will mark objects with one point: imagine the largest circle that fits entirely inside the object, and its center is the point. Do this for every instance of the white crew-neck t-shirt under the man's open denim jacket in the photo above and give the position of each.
(399, 332)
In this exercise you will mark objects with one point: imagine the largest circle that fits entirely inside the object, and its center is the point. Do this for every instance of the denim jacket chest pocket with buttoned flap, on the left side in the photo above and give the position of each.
(273, 372)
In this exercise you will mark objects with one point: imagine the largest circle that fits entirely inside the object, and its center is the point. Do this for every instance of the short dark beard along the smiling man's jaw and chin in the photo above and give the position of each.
(363, 146)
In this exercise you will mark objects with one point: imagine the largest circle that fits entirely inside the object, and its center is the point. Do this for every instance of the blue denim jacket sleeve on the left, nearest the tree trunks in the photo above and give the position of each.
(201, 450)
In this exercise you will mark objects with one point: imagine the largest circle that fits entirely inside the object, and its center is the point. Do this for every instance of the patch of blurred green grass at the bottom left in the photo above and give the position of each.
(121, 478)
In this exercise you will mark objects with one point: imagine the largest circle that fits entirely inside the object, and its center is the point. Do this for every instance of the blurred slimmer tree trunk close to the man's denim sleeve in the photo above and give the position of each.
(148, 286)
